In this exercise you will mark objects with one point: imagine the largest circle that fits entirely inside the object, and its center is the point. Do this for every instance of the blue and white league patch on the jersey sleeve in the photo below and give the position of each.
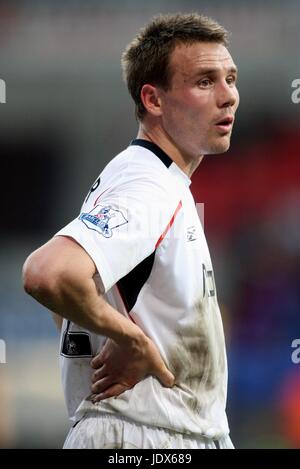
(103, 219)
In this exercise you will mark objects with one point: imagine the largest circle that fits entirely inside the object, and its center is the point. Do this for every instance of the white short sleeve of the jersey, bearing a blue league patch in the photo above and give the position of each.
(122, 227)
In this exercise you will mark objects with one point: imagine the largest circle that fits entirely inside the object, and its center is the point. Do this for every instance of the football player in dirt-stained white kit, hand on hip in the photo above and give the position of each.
(132, 275)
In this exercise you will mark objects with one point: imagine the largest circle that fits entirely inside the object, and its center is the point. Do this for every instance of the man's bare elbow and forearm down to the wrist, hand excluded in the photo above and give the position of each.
(60, 275)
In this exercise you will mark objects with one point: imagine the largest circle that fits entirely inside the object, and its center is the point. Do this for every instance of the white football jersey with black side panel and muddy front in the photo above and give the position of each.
(140, 226)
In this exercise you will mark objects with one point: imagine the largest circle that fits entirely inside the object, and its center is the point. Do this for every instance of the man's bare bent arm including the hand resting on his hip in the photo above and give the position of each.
(60, 275)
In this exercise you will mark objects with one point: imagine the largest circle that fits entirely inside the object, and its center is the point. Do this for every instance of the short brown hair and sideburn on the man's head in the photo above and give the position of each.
(146, 58)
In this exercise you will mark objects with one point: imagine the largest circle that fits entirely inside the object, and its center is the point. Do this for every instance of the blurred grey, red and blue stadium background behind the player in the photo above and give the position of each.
(68, 113)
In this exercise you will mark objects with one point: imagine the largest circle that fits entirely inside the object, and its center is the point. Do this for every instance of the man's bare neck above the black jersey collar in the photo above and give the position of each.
(155, 134)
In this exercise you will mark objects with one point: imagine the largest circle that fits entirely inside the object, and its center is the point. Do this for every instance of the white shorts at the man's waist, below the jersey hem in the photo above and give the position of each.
(107, 431)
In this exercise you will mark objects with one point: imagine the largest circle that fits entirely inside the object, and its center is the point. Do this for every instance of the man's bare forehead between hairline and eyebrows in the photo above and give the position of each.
(188, 59)
